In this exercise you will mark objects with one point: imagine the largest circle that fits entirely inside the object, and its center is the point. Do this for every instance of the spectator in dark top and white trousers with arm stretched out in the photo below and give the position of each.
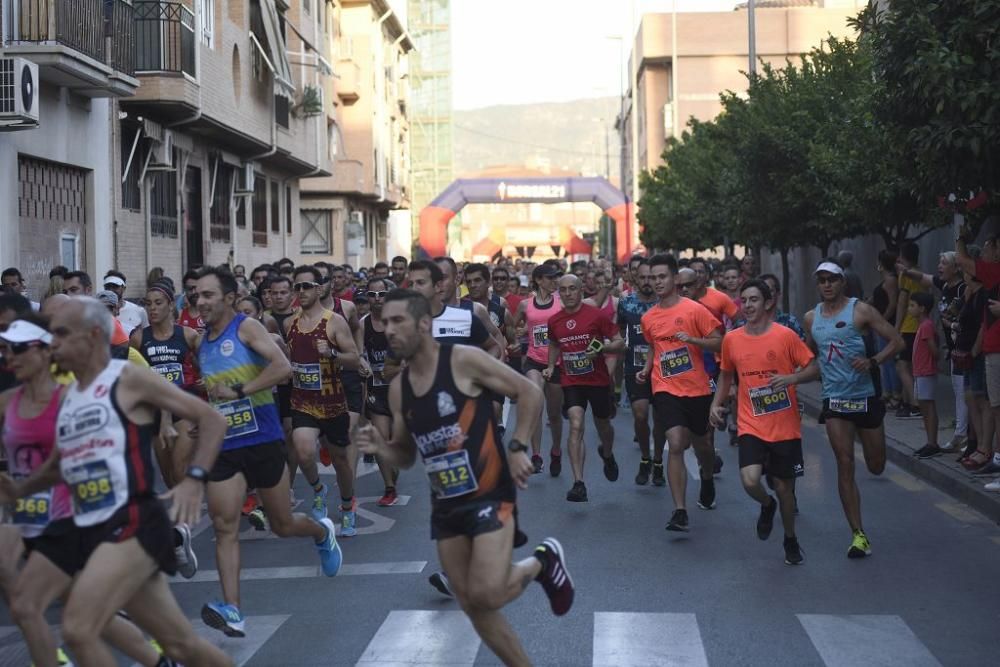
(950, 284)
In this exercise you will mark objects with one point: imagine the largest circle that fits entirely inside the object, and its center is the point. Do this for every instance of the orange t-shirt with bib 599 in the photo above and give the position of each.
(678, 368)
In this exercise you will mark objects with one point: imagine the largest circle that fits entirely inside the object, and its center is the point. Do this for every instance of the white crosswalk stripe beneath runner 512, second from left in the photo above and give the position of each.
(408, 638)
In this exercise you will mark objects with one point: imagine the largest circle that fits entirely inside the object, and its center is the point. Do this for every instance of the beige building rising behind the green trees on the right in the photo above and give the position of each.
(710, 55)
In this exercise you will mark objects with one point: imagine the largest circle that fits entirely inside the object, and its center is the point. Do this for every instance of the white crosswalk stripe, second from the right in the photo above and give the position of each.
(624, 639)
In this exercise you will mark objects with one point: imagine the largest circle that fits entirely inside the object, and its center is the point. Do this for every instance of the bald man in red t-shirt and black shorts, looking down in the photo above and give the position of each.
(577, 337)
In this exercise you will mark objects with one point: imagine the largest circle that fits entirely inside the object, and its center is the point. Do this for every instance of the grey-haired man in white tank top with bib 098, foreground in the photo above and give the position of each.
(121, 537)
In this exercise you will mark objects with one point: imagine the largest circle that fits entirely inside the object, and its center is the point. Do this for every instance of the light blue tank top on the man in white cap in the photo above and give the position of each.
(837, 342)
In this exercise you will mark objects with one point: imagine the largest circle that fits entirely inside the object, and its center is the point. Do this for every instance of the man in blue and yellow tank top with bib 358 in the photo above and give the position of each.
(241, 364)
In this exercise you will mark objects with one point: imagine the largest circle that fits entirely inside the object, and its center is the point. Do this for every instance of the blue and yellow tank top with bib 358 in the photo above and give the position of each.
(252, 420)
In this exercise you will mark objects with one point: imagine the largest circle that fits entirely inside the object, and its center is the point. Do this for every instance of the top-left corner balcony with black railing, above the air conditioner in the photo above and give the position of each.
(87, 46)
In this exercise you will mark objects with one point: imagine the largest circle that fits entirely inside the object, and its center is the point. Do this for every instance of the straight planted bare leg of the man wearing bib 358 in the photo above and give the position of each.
(225, 499)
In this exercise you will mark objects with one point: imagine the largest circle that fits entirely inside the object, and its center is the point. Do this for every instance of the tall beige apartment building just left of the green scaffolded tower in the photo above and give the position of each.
(345, 217)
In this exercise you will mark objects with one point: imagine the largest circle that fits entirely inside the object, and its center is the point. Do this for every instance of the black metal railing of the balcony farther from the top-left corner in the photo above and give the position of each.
(165, 37)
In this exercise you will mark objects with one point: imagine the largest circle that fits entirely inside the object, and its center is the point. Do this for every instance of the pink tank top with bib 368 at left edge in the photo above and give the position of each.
(29, 442)
